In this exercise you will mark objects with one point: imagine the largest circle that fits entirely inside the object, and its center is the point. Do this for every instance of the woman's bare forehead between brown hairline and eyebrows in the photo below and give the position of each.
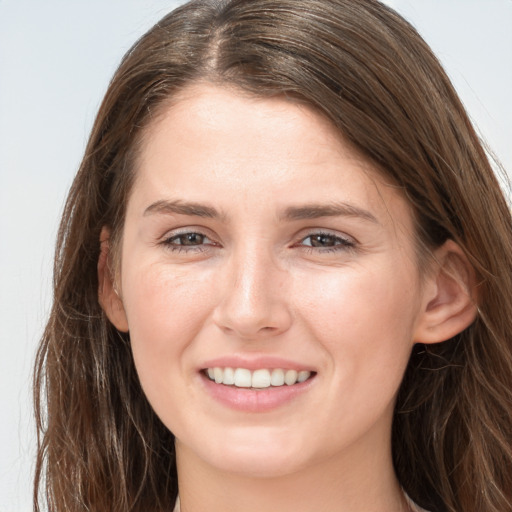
(219, 144)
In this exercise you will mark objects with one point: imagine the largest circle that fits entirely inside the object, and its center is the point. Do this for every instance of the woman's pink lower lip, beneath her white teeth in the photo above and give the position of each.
(255, 400)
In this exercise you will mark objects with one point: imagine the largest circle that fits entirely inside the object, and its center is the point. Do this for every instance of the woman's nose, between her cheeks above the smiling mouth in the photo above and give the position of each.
(253, 303)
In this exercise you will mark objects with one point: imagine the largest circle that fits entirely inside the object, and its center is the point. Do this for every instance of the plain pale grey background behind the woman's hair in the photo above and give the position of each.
(56, 58)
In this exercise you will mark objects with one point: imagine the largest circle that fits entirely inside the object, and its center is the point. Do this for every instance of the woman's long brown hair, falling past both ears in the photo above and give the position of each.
(101, 447)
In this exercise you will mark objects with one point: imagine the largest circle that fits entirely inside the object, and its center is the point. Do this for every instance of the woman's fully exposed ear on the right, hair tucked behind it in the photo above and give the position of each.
(450, 301)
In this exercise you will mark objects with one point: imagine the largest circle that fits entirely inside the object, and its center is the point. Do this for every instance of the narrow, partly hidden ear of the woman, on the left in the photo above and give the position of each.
(108, 296)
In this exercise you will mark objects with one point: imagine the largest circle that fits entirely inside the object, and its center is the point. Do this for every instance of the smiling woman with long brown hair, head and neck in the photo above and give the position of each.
(282, 277)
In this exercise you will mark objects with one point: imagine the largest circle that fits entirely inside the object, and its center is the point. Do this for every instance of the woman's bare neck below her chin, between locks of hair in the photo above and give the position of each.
(366, 484)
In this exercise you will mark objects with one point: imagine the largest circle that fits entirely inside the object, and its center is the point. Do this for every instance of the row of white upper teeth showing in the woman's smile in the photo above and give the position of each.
(259, 379)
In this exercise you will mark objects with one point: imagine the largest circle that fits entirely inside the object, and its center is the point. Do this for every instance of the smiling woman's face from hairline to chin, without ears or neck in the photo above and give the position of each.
(258, 247)
